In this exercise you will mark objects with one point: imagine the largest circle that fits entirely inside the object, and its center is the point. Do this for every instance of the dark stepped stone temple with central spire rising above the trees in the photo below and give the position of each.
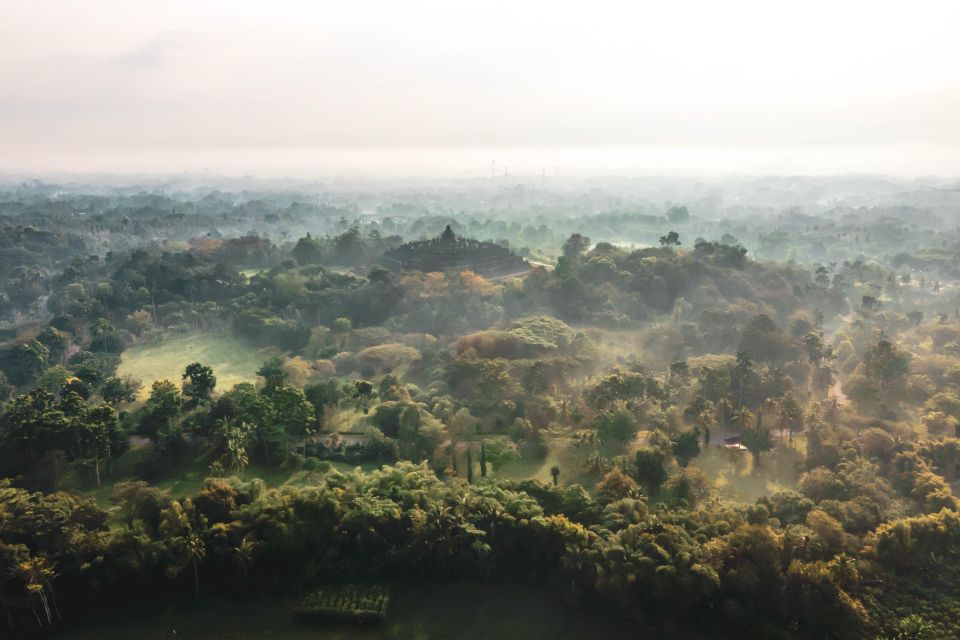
(448, 251)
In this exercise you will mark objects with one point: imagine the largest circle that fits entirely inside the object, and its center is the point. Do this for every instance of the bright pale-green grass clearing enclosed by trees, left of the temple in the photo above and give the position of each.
(233, 360)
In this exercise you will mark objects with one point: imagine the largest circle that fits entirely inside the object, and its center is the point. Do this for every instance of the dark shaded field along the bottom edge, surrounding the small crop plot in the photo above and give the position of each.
(464, 610)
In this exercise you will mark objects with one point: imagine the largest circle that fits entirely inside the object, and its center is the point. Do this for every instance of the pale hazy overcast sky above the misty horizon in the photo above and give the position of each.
(281, 86)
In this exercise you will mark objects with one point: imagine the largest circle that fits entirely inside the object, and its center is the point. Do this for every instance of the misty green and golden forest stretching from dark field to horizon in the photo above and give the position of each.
(731, 407)
